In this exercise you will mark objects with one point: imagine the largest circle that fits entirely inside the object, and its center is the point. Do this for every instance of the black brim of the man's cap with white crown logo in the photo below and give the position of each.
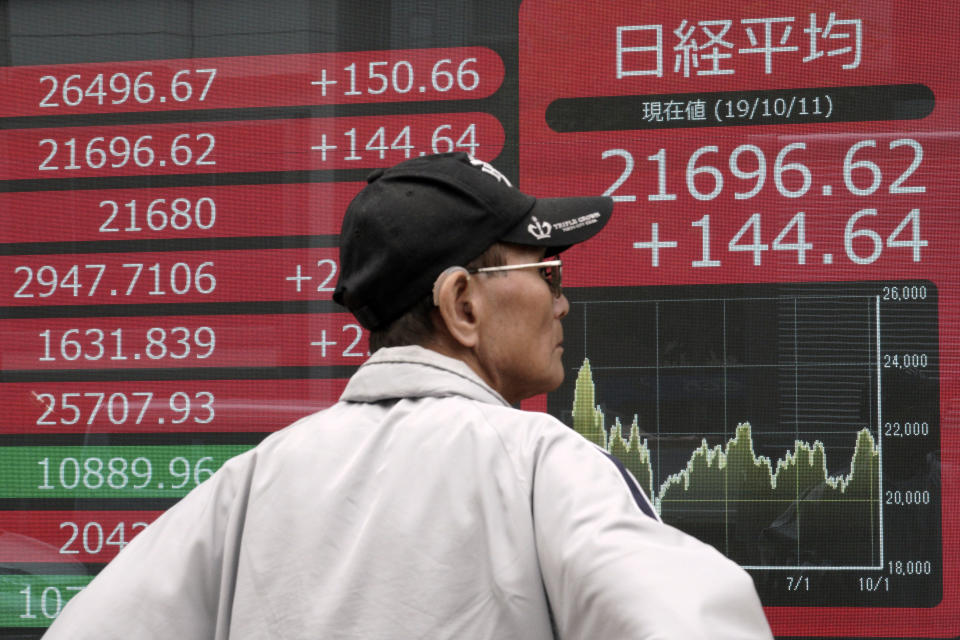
(559, 223)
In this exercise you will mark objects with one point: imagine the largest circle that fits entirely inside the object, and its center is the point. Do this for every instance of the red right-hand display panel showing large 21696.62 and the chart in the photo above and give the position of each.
(777, 287)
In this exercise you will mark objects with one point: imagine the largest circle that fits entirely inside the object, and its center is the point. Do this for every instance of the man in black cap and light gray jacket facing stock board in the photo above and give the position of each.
(423, 505)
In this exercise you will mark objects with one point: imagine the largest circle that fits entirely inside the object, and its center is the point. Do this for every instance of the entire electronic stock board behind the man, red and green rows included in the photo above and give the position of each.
(774, 303)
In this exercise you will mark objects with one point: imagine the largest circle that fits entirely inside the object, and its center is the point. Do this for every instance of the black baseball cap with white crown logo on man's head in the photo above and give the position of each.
(413, 220)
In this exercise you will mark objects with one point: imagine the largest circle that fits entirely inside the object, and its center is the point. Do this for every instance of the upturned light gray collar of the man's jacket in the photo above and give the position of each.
(416, 372)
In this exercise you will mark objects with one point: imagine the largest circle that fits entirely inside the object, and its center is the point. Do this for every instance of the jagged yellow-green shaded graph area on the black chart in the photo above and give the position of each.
(731, 477)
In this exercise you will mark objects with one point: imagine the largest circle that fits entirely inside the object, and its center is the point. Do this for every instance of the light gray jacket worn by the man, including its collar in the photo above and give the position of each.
(419, 506)
